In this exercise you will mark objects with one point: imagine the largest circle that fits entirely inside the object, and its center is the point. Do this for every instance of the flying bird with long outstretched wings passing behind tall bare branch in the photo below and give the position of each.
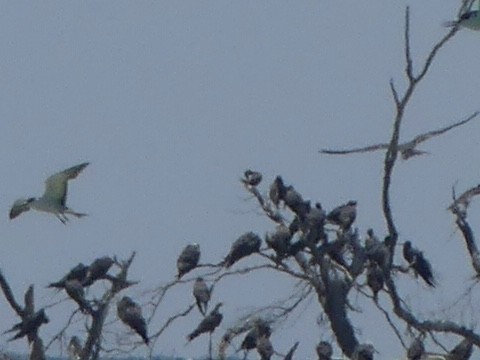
(406, 149)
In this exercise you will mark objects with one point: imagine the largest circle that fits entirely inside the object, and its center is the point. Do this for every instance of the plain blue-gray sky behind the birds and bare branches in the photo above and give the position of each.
(172, 101)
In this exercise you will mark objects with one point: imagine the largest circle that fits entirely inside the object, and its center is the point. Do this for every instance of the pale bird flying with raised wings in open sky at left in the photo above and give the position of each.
(54, 198)
